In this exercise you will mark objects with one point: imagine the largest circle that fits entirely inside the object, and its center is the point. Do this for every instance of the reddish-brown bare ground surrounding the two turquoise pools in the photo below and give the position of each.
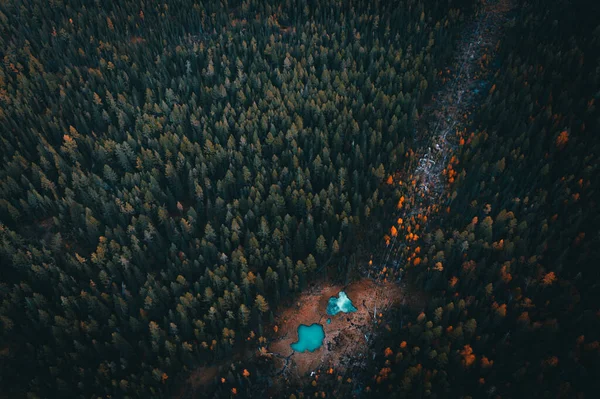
(346, 338)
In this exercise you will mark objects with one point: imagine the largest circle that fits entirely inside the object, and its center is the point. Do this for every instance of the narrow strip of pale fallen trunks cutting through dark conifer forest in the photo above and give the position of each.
(425, 180)
